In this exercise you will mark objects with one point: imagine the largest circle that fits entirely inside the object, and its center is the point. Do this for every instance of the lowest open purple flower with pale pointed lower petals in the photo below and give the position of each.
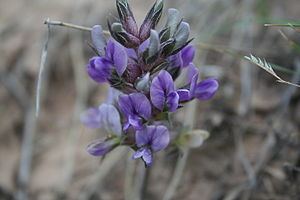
(151, 139)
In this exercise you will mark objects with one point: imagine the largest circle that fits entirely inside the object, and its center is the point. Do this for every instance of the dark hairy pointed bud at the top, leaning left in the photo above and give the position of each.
(126, 17)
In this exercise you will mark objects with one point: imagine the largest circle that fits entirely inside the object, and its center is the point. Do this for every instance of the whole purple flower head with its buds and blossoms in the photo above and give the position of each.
(141, 66)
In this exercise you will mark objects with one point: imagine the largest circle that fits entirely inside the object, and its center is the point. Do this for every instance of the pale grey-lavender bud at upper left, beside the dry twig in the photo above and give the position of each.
(98, 39)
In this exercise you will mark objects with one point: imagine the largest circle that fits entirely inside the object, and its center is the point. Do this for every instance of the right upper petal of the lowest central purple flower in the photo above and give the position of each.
(160, 138)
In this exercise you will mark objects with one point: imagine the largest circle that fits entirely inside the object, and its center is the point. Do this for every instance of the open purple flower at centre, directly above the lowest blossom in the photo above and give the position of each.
(136, 108)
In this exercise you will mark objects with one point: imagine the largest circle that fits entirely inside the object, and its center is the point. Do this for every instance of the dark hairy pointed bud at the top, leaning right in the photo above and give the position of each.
(151, 20)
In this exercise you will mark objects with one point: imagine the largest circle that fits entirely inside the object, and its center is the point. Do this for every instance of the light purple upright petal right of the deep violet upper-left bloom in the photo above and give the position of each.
(117, 54)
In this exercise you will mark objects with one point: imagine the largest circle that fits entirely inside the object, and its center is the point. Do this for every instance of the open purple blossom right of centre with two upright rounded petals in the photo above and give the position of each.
(162, 92)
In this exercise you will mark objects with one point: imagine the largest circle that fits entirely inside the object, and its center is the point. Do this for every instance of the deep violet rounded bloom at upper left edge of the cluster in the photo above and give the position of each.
(99, 69)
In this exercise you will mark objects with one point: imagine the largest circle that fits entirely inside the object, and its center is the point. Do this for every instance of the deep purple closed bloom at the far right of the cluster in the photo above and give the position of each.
(206, 89)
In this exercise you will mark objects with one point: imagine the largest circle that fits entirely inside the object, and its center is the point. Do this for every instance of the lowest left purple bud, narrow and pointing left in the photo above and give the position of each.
(100, 147)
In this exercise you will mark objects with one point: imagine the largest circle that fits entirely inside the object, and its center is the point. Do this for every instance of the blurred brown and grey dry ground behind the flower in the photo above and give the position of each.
(253, 150)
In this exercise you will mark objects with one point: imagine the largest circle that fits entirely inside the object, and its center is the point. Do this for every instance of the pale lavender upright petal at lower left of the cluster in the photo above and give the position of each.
(110, 119)
